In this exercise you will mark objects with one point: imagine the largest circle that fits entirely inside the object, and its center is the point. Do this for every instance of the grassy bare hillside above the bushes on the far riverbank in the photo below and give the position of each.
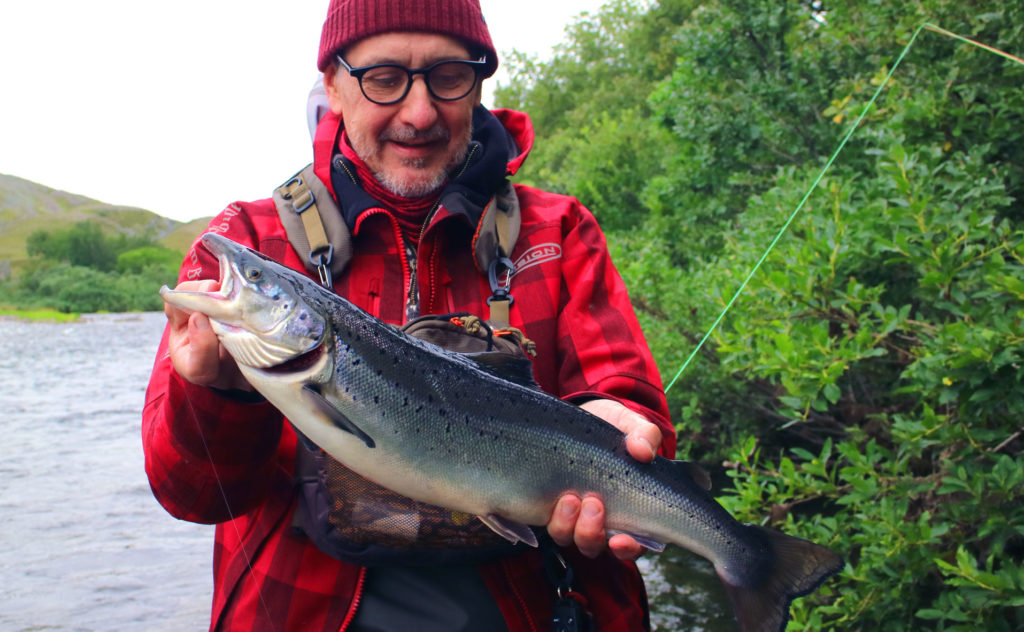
(27, 206)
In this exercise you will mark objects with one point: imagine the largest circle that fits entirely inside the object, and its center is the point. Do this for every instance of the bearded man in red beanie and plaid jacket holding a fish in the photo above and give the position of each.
(413, 161)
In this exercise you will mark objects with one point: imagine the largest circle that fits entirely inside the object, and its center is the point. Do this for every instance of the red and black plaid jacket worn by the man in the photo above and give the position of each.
(215, 459)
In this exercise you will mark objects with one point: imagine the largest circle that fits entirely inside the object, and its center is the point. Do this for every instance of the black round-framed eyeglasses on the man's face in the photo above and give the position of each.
(387, 85)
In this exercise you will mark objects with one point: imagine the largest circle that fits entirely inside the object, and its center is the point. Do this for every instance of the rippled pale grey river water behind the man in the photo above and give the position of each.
(83, 544)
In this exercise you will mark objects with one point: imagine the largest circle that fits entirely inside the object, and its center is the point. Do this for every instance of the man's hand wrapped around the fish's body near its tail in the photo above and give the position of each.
(582, 521)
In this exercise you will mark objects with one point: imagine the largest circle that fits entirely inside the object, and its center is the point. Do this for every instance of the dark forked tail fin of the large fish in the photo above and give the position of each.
(797, 568)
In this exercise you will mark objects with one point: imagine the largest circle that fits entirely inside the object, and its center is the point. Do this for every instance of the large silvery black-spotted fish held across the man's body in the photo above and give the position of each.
(438, 428)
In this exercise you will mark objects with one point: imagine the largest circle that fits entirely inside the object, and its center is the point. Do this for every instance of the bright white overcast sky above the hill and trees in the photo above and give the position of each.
(182, 108)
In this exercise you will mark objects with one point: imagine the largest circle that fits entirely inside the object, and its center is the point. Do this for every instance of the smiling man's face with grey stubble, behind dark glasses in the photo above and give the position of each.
(410, 146)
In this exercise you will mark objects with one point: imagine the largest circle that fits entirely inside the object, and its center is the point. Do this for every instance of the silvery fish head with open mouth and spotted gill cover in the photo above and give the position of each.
(258, 314)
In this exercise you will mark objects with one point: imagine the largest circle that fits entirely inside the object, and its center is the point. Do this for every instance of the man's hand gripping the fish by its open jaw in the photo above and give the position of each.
(195, 350)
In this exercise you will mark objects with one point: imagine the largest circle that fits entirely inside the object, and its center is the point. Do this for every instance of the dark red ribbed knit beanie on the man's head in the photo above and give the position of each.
(351, 21)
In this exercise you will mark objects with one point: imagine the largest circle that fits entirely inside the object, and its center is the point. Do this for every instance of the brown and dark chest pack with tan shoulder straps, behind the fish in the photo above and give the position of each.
(347, 516)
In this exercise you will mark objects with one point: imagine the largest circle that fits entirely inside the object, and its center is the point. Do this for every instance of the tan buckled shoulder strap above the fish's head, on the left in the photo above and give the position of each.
(316, 229)
